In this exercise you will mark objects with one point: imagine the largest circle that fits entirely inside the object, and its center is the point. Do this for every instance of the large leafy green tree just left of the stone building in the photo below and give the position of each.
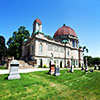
(15, 42)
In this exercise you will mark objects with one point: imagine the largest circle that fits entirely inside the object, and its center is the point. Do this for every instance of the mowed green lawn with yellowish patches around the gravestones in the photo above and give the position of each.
(42, 86)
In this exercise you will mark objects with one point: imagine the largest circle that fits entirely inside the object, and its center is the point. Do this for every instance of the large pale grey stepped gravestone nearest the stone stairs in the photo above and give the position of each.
(14, 73)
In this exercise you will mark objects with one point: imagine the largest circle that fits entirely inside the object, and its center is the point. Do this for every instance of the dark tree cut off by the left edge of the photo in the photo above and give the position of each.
(3, 48)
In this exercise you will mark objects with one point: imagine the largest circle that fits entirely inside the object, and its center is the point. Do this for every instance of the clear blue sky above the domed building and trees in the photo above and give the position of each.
(83, 16)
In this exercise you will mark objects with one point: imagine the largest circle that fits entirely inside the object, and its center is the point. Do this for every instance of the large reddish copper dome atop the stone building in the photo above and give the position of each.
(65, 30)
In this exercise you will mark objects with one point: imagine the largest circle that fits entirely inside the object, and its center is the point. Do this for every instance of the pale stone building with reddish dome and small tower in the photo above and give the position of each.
(63, 49)
